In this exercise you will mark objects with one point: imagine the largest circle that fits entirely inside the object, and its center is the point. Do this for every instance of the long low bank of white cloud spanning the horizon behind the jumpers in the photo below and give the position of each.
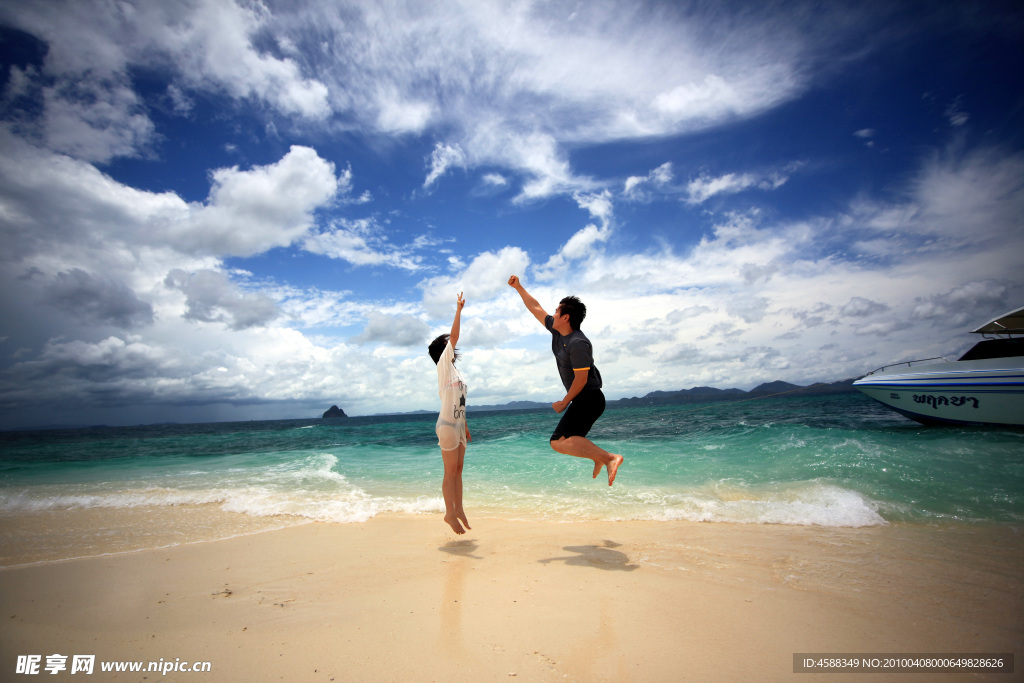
(697, 316)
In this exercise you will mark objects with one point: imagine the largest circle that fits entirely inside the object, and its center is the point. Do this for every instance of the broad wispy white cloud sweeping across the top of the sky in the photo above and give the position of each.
(523, 84)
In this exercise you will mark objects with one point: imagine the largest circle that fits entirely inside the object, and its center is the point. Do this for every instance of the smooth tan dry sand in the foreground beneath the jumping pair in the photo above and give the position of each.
(400, 599)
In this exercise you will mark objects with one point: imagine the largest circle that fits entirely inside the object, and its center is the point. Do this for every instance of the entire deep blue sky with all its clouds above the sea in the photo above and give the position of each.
(218, 210)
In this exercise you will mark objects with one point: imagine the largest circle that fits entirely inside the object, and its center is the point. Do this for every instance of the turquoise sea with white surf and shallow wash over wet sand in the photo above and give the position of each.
(838, 461)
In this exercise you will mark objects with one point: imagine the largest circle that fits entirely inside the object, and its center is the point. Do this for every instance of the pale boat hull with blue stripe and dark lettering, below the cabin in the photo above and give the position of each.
(967, 393)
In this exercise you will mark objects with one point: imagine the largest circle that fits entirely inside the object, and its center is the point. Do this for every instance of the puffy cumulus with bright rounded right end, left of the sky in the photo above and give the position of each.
(247, 212)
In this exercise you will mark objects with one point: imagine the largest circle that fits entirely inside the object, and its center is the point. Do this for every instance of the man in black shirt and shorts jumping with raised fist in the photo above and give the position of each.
(584, 399)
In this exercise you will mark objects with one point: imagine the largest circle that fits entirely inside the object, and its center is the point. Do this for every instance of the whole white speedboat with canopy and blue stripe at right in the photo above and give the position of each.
(985, 387)
